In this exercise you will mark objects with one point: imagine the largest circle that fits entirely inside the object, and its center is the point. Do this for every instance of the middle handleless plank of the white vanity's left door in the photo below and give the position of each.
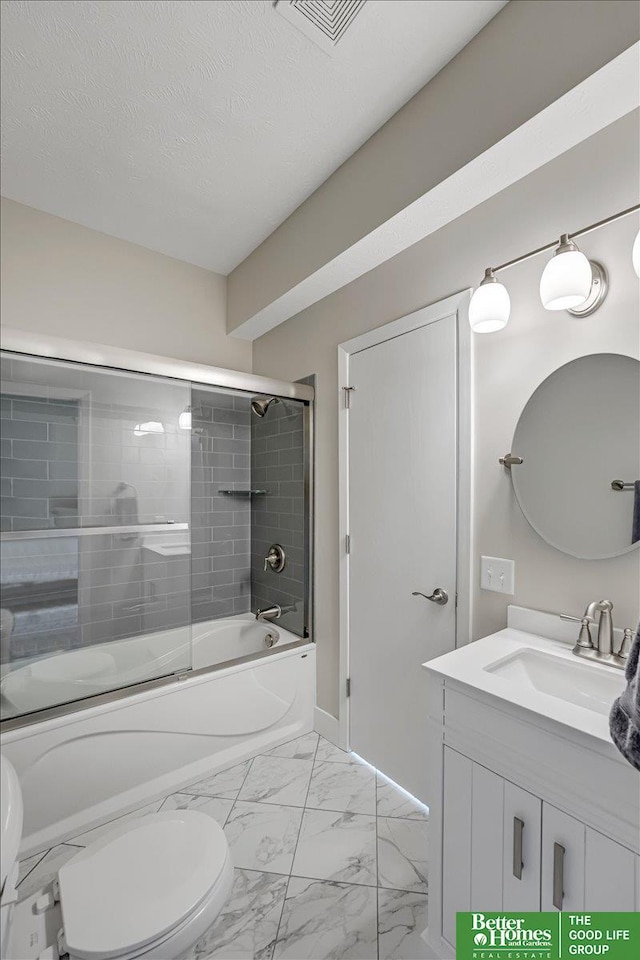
(486, 839)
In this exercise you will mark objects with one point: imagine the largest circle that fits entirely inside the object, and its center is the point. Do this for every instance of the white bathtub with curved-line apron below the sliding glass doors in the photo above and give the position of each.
(92, 764)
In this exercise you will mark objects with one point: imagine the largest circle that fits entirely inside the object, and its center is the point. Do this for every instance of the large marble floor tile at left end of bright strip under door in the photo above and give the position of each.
(342, 786)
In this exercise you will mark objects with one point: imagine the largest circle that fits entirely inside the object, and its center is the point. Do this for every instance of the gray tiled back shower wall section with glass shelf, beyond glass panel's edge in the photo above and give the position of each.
(220, 523)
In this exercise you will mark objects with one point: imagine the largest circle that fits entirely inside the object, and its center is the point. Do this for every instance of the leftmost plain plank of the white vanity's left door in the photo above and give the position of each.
(456, 840)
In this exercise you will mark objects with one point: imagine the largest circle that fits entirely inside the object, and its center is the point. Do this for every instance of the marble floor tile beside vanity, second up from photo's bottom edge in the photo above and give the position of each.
(402, 854)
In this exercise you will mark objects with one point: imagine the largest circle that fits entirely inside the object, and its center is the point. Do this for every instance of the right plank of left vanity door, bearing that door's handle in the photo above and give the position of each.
(522, 843)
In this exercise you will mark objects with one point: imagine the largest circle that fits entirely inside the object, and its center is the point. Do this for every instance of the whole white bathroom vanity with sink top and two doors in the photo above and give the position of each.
(532, 808)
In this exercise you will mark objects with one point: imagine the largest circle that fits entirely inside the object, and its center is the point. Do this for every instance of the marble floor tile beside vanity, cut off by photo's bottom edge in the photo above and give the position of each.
(402, 920)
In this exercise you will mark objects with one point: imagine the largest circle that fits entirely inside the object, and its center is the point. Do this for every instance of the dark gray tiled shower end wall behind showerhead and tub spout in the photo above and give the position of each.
(277, 466)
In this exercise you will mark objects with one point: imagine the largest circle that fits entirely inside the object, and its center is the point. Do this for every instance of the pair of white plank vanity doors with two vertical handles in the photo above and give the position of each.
(506, 849)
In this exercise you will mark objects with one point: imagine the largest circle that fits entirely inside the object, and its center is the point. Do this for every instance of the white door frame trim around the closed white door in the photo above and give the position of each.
(457, 307)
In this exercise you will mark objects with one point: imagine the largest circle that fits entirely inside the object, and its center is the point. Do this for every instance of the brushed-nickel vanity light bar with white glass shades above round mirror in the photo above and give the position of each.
(570, 281)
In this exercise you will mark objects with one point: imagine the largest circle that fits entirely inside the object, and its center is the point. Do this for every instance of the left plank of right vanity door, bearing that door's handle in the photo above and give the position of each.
(563, 847)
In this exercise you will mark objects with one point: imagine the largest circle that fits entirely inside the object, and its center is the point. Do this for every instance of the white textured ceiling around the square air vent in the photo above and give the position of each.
(195, 128)
